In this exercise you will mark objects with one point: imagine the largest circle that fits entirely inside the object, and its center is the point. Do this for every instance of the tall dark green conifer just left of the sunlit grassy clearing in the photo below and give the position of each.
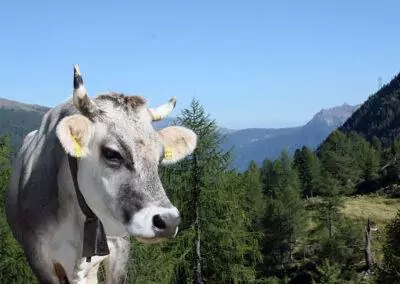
(284, 218)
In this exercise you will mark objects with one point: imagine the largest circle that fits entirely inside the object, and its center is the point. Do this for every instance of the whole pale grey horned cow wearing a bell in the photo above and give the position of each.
(86, 181)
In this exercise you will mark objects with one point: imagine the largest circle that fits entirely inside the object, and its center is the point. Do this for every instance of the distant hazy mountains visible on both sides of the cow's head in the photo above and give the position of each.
(17, 119)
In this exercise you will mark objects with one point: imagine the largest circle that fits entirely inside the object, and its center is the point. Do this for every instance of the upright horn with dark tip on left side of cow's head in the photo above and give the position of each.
(80, 97)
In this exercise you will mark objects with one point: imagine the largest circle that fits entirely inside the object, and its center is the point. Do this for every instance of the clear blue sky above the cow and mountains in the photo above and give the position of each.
(250, 63)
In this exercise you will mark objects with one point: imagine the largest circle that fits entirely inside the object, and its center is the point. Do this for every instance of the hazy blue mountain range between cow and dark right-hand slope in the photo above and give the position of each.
(258, 144)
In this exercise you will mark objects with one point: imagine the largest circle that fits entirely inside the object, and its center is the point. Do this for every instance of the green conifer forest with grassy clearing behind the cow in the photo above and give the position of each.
(305, 219)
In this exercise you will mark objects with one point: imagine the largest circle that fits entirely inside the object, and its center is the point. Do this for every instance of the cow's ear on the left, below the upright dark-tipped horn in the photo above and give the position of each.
(74, 133)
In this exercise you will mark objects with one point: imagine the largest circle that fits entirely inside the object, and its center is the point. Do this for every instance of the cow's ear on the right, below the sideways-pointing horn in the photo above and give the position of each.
(178, 141)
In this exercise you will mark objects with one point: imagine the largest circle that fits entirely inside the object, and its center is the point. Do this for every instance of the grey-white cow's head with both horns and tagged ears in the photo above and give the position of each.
(119, 154)
